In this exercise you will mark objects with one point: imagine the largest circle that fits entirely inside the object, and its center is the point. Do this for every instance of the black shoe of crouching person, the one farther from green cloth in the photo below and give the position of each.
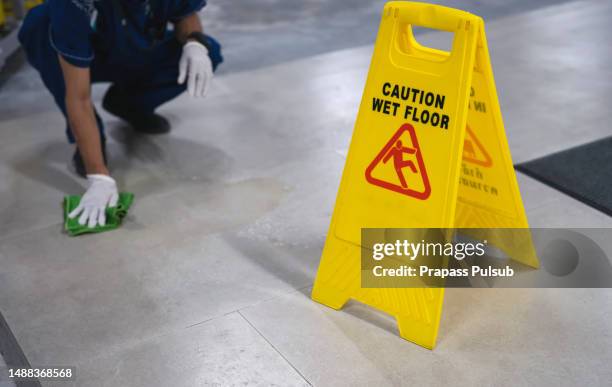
(148, 123)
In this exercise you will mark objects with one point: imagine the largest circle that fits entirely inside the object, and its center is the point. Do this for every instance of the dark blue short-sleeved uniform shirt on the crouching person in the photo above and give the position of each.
(81, 29)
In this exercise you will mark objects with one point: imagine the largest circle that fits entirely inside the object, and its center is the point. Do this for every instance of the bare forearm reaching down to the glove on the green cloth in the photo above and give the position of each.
(81, 117)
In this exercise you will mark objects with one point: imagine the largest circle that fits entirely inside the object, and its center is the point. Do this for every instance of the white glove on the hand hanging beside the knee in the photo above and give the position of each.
(196, 67)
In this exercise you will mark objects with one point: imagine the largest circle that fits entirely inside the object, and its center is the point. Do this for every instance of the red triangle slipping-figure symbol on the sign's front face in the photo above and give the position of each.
(399, 166)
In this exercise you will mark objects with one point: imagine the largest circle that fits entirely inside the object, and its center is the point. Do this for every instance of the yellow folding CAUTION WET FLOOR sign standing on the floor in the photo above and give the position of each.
(428, 150)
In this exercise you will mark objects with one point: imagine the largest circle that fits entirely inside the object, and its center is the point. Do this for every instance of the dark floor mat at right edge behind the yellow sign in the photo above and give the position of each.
(584, 172)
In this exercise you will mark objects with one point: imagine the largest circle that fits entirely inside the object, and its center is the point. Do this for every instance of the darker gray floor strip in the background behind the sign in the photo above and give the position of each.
(259, 33)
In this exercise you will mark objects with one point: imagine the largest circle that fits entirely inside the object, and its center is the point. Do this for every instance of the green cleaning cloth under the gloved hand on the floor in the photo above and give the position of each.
(114, 215)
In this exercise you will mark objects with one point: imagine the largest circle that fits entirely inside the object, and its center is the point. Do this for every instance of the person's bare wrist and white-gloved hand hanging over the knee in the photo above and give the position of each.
(195, 65)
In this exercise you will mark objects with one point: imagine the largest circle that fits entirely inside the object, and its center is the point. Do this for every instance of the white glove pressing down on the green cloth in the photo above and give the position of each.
(102, 193)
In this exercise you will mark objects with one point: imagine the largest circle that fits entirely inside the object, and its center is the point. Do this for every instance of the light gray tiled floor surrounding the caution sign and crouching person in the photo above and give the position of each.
(208, 280)
